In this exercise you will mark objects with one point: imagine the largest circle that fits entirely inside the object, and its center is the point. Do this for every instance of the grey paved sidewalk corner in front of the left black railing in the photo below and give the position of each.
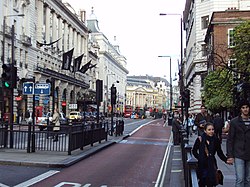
(53, 159)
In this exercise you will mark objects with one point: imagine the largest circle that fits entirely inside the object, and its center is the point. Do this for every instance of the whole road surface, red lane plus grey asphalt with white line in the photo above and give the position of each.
(135, 161)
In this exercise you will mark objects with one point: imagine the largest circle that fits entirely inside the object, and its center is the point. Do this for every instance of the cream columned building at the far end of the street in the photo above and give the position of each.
(151, 92)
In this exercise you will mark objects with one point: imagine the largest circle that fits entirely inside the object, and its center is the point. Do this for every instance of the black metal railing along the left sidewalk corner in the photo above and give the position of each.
(70, 137)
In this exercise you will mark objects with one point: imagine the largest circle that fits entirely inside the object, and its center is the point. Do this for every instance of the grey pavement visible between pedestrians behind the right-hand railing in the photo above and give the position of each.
(227, 170)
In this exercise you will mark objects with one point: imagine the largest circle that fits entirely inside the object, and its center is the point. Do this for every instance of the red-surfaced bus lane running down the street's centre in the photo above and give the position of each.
(122, 164)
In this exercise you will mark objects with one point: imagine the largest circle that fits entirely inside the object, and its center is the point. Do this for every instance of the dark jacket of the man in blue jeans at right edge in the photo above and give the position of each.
(238, 139)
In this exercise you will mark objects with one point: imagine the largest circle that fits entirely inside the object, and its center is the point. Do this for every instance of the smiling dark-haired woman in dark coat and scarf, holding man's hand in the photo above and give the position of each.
(204, 150)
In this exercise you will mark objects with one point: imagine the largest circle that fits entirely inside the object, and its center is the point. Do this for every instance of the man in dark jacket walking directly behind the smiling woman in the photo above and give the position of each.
(201, 118)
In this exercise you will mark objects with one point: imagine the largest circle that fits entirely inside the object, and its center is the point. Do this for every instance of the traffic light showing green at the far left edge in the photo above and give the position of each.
(9, 76)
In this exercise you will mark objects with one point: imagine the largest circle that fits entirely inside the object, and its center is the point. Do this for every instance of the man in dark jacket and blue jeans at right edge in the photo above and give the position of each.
(238, 141)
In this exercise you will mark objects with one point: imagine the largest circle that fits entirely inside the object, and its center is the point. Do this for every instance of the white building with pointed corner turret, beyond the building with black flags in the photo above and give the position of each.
(112, 65)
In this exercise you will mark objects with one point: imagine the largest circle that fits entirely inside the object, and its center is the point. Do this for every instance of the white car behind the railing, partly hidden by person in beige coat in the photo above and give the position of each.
(42, 121)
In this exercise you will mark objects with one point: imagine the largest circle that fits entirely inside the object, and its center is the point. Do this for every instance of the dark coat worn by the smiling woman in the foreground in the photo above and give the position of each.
(207, 164)
